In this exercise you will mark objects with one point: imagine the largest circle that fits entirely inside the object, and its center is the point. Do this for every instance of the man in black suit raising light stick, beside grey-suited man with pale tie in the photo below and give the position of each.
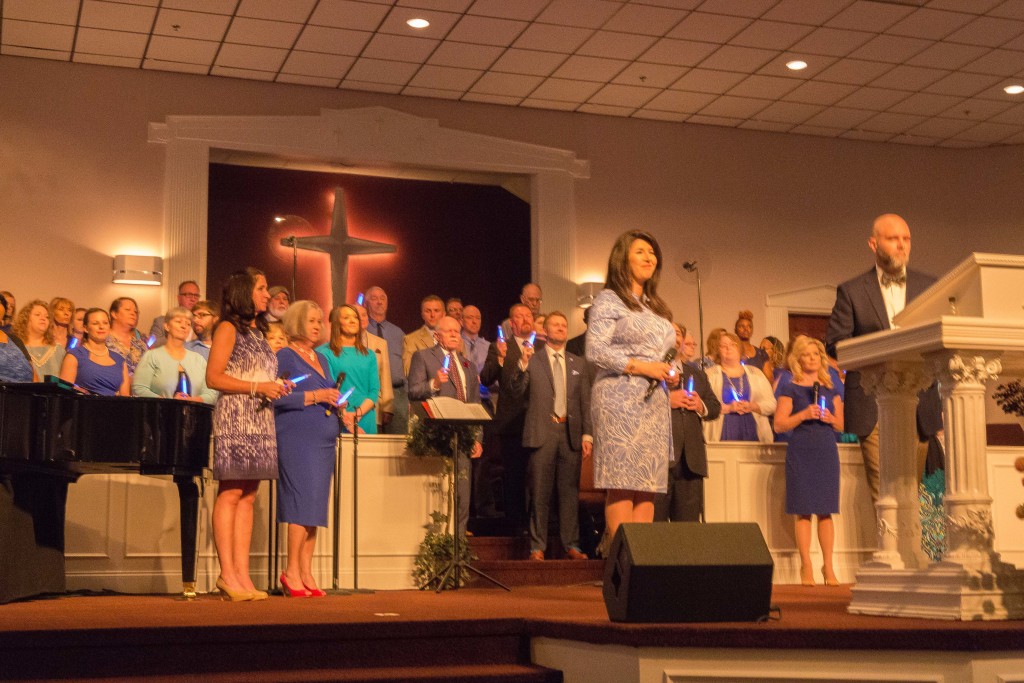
(503, 357)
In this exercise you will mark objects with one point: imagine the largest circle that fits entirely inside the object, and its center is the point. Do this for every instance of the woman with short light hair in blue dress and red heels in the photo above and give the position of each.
(308, 435)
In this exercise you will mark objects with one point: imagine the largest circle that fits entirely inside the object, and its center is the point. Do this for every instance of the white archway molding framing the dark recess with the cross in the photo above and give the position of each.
(372, 138)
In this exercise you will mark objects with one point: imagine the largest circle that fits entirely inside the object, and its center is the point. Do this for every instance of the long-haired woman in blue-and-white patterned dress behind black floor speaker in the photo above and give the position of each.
(629, 334)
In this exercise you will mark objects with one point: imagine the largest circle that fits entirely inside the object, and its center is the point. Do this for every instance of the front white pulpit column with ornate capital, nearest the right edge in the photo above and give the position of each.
(969, 507)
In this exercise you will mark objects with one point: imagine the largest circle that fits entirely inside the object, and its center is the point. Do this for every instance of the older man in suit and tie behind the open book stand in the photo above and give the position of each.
(429, 378)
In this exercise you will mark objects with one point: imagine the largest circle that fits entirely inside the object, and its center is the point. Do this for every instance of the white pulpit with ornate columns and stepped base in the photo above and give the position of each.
(965, 330)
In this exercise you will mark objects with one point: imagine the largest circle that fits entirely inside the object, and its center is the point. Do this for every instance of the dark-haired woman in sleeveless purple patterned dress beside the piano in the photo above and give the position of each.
(244, 370)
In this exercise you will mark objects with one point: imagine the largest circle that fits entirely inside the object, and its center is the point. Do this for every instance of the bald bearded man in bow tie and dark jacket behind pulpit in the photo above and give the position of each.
(869, 304)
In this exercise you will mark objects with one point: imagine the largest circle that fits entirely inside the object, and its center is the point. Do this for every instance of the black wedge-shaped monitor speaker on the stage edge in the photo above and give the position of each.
(687, 572)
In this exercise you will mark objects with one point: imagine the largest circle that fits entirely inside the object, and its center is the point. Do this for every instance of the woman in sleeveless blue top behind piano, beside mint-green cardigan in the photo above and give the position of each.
(92, 365)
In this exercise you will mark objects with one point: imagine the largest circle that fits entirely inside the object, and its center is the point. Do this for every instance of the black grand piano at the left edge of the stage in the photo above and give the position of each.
(52, 435)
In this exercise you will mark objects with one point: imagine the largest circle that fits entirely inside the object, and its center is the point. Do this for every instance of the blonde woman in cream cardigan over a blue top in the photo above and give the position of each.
(747, 398)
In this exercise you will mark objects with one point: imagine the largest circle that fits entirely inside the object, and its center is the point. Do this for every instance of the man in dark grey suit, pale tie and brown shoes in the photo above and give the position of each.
(559, 433)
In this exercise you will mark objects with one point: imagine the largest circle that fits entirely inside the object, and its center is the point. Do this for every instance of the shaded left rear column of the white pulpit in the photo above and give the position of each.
(895, 386)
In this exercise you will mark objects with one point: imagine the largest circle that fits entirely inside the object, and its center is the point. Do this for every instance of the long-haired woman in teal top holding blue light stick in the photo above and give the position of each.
(348, 354)
